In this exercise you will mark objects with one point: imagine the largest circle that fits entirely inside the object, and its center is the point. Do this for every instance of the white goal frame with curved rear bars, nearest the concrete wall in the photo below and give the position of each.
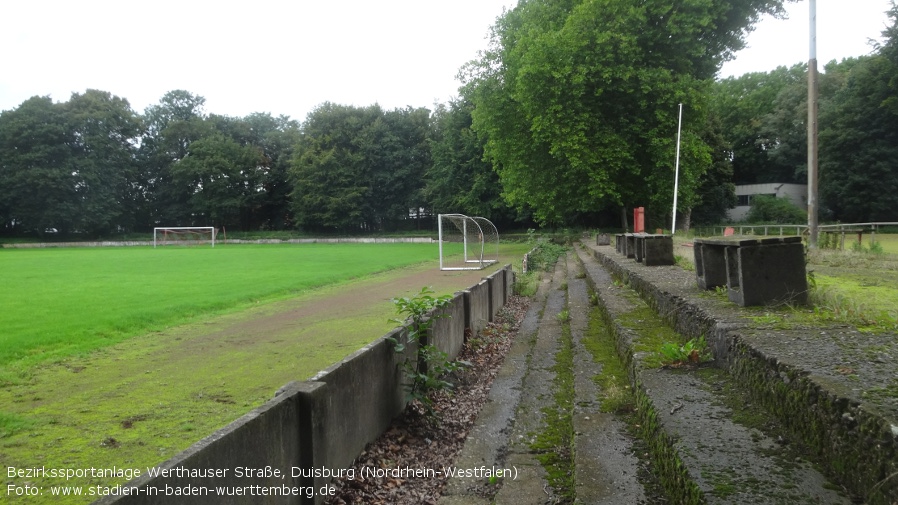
(479, 237)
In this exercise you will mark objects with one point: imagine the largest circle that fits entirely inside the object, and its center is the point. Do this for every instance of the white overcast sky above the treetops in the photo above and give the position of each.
(287, 56)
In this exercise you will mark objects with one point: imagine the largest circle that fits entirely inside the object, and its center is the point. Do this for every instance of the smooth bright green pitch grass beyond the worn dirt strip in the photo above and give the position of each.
(60, 302)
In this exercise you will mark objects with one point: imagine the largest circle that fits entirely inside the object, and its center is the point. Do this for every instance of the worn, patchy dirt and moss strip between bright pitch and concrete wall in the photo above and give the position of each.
(140, 402)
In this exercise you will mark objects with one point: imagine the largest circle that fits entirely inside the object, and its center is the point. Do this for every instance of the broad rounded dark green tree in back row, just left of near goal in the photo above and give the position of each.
(360, 169)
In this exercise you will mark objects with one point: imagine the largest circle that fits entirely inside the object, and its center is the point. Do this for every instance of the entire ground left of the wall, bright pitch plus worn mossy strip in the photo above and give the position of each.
(140, 401)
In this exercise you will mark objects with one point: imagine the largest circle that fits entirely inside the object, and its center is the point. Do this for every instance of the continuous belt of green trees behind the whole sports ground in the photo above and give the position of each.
(569, 117)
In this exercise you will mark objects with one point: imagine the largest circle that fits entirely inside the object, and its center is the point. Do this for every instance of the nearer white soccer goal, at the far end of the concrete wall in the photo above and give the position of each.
(467, 243)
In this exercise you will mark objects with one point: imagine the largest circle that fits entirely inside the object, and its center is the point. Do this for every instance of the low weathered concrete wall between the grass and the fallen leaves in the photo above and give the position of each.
(312, 428)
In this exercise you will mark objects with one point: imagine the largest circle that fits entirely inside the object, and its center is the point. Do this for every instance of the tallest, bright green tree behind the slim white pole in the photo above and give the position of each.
(578, 99)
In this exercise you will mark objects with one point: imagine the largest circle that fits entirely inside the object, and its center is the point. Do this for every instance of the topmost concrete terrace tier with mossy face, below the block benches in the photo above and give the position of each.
(831, 385)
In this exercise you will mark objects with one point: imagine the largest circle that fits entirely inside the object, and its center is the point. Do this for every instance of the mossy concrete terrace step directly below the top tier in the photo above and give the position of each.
(708, 443)
